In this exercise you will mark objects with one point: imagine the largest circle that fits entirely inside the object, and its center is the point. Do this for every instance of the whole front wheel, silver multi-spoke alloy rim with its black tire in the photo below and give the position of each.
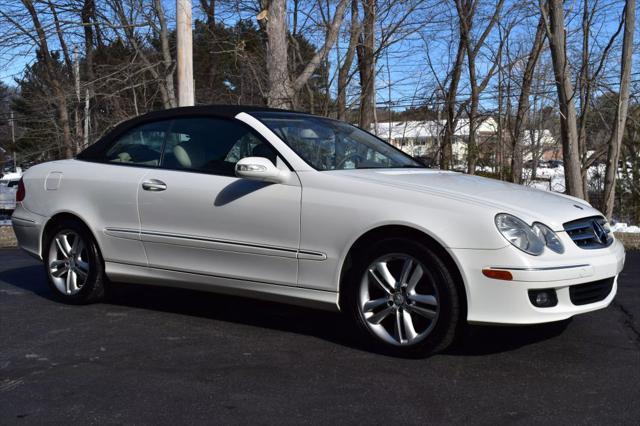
(403, 298)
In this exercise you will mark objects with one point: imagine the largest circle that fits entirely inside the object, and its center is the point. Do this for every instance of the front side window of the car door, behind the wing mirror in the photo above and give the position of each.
(211, 145)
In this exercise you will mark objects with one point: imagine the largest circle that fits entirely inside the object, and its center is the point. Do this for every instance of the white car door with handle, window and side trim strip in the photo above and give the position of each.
(198, 217)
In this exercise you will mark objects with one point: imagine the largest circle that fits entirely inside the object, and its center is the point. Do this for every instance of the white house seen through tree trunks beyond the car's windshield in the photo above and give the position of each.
(422, 138)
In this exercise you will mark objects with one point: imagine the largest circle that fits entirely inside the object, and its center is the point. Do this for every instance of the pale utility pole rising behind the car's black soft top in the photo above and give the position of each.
(185, 53)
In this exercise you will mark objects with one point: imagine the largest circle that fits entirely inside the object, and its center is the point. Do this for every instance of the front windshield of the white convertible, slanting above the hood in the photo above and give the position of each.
(333, 145)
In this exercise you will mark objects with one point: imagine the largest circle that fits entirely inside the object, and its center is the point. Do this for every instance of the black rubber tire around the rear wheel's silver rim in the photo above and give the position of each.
(93, 288)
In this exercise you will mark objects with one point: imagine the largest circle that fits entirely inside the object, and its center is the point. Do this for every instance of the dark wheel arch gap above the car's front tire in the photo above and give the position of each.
(405, 232)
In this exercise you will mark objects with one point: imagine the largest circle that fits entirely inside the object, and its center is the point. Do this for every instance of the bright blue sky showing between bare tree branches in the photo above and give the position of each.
(404, 77)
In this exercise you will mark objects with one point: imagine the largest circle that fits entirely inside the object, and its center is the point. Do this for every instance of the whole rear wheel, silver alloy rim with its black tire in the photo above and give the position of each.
(74, 264)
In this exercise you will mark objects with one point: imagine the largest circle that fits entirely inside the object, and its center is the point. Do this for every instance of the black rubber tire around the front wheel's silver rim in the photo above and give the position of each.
(447, 322)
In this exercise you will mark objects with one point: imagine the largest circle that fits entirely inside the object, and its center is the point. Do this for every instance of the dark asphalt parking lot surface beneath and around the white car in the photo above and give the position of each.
(166, 356)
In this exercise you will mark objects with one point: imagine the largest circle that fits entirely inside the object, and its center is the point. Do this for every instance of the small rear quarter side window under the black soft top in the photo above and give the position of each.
(141, 145)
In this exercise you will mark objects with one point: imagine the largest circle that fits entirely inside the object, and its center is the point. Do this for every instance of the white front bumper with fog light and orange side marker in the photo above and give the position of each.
(507, 302)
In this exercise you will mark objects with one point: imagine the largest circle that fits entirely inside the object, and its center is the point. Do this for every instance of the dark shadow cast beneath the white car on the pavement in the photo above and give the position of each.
(330, 326)
